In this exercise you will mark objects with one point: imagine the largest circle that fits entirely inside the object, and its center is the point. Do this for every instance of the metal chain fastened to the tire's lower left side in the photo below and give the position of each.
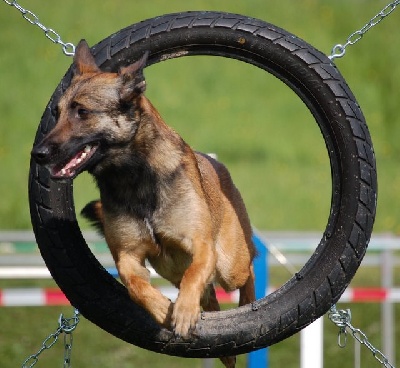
(66, 326)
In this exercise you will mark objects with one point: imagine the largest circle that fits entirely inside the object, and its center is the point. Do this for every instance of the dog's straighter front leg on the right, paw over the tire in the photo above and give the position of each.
(186, 310)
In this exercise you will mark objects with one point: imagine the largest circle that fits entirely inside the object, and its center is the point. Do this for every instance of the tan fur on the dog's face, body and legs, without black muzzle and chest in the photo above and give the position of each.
(199, 233)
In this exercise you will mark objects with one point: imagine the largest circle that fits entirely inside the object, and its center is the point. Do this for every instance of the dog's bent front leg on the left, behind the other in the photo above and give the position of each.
(136, 278)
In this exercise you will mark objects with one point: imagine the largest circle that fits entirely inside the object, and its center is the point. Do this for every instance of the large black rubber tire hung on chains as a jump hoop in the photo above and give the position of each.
(319, 284)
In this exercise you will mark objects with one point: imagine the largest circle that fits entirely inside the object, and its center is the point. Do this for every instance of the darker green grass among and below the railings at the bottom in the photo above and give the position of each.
(24, 329)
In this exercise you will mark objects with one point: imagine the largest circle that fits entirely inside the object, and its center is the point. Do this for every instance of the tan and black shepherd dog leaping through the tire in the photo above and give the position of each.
(159, 200)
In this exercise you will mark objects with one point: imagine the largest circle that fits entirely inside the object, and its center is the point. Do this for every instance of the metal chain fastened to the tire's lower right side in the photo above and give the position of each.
(342, 319)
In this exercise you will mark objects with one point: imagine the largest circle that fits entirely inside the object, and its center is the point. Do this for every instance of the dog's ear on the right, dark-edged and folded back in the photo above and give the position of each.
(132, 78)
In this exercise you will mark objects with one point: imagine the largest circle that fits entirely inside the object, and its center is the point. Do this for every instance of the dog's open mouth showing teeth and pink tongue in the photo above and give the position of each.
(75, 165)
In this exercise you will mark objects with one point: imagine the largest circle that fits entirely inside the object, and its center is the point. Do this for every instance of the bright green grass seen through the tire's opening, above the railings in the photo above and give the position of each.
(281, 175)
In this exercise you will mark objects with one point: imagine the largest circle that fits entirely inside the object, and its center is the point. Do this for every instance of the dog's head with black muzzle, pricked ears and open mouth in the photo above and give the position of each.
(97, 112)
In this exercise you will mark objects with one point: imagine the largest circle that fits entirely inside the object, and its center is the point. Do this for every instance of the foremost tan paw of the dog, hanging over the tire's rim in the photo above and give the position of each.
(184, 317)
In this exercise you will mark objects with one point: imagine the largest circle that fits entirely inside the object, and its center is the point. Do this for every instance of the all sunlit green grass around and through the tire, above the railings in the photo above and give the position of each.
(255, 125)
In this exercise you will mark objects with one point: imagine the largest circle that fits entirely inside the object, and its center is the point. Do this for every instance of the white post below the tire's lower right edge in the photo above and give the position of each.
(311, 345)
